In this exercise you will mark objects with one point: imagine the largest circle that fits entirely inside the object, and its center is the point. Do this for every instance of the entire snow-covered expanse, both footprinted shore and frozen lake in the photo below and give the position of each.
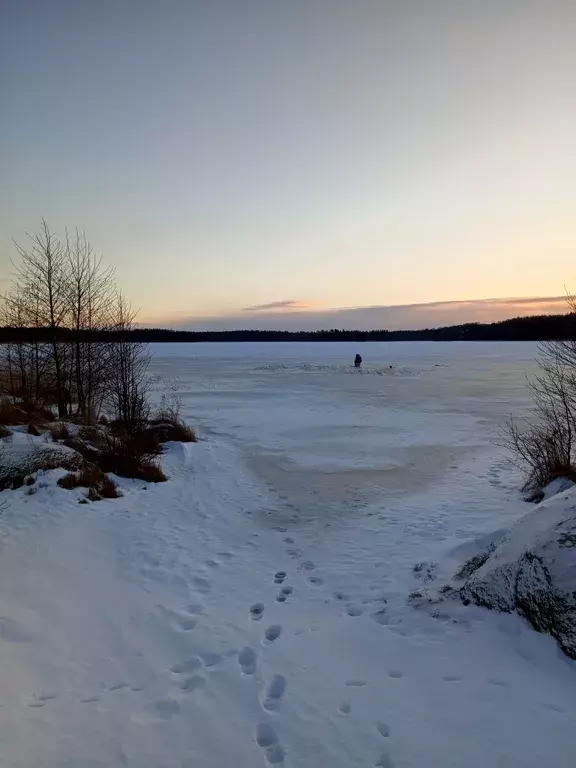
(253, 610)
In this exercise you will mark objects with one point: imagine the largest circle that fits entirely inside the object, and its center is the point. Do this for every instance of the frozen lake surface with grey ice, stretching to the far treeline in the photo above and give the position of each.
(322, 433)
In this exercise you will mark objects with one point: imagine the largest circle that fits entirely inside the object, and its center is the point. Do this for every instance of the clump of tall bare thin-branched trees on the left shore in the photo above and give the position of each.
(76, 334)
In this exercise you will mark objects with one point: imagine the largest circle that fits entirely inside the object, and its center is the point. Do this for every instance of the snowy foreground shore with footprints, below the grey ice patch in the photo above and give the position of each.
(127, 638)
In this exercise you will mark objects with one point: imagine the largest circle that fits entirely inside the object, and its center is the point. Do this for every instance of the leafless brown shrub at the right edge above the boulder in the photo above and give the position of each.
(544, 447)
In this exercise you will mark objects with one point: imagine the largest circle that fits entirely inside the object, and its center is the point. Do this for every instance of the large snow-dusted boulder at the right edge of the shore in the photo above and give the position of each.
(532, 571)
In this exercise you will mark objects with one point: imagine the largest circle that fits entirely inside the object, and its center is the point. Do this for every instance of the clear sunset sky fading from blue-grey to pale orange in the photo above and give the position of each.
(295, 163)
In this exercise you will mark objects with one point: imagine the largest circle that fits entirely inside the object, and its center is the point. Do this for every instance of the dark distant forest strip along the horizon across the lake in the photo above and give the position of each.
(537, 328)
